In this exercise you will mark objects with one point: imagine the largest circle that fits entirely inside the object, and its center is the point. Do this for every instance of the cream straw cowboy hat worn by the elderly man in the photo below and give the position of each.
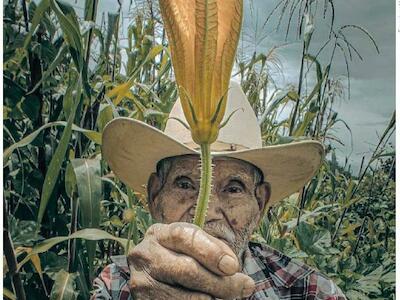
(132, 148)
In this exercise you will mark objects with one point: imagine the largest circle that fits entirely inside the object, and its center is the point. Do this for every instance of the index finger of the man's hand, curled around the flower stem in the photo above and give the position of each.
(189, 239)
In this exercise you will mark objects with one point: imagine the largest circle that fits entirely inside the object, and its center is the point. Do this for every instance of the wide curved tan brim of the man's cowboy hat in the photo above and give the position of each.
(132, 149)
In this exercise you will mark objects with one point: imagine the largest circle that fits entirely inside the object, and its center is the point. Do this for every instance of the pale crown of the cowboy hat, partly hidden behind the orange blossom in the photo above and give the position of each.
(241, 132)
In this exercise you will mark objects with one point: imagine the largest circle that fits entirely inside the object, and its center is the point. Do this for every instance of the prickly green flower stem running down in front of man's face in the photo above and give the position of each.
(205, 186)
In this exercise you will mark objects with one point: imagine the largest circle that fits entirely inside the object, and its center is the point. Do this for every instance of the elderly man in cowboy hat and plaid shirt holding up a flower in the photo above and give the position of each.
(178, 260)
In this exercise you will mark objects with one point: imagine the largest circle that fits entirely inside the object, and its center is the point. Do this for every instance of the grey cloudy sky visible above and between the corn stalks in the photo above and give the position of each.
(372, 95)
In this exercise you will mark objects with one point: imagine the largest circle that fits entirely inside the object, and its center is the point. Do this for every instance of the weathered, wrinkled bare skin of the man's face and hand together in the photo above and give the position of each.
(178, 260)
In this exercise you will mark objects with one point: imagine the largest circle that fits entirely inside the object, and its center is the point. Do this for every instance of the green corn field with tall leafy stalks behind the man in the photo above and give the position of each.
(66, 74)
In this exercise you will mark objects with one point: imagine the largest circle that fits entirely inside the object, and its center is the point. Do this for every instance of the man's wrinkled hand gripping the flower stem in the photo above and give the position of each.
(181, 261)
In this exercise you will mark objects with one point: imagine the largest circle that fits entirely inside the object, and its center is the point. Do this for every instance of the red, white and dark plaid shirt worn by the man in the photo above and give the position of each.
(276, 276)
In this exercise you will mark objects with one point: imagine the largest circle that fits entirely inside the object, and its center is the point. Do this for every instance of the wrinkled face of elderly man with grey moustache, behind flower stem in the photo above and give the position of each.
(235, 204)
